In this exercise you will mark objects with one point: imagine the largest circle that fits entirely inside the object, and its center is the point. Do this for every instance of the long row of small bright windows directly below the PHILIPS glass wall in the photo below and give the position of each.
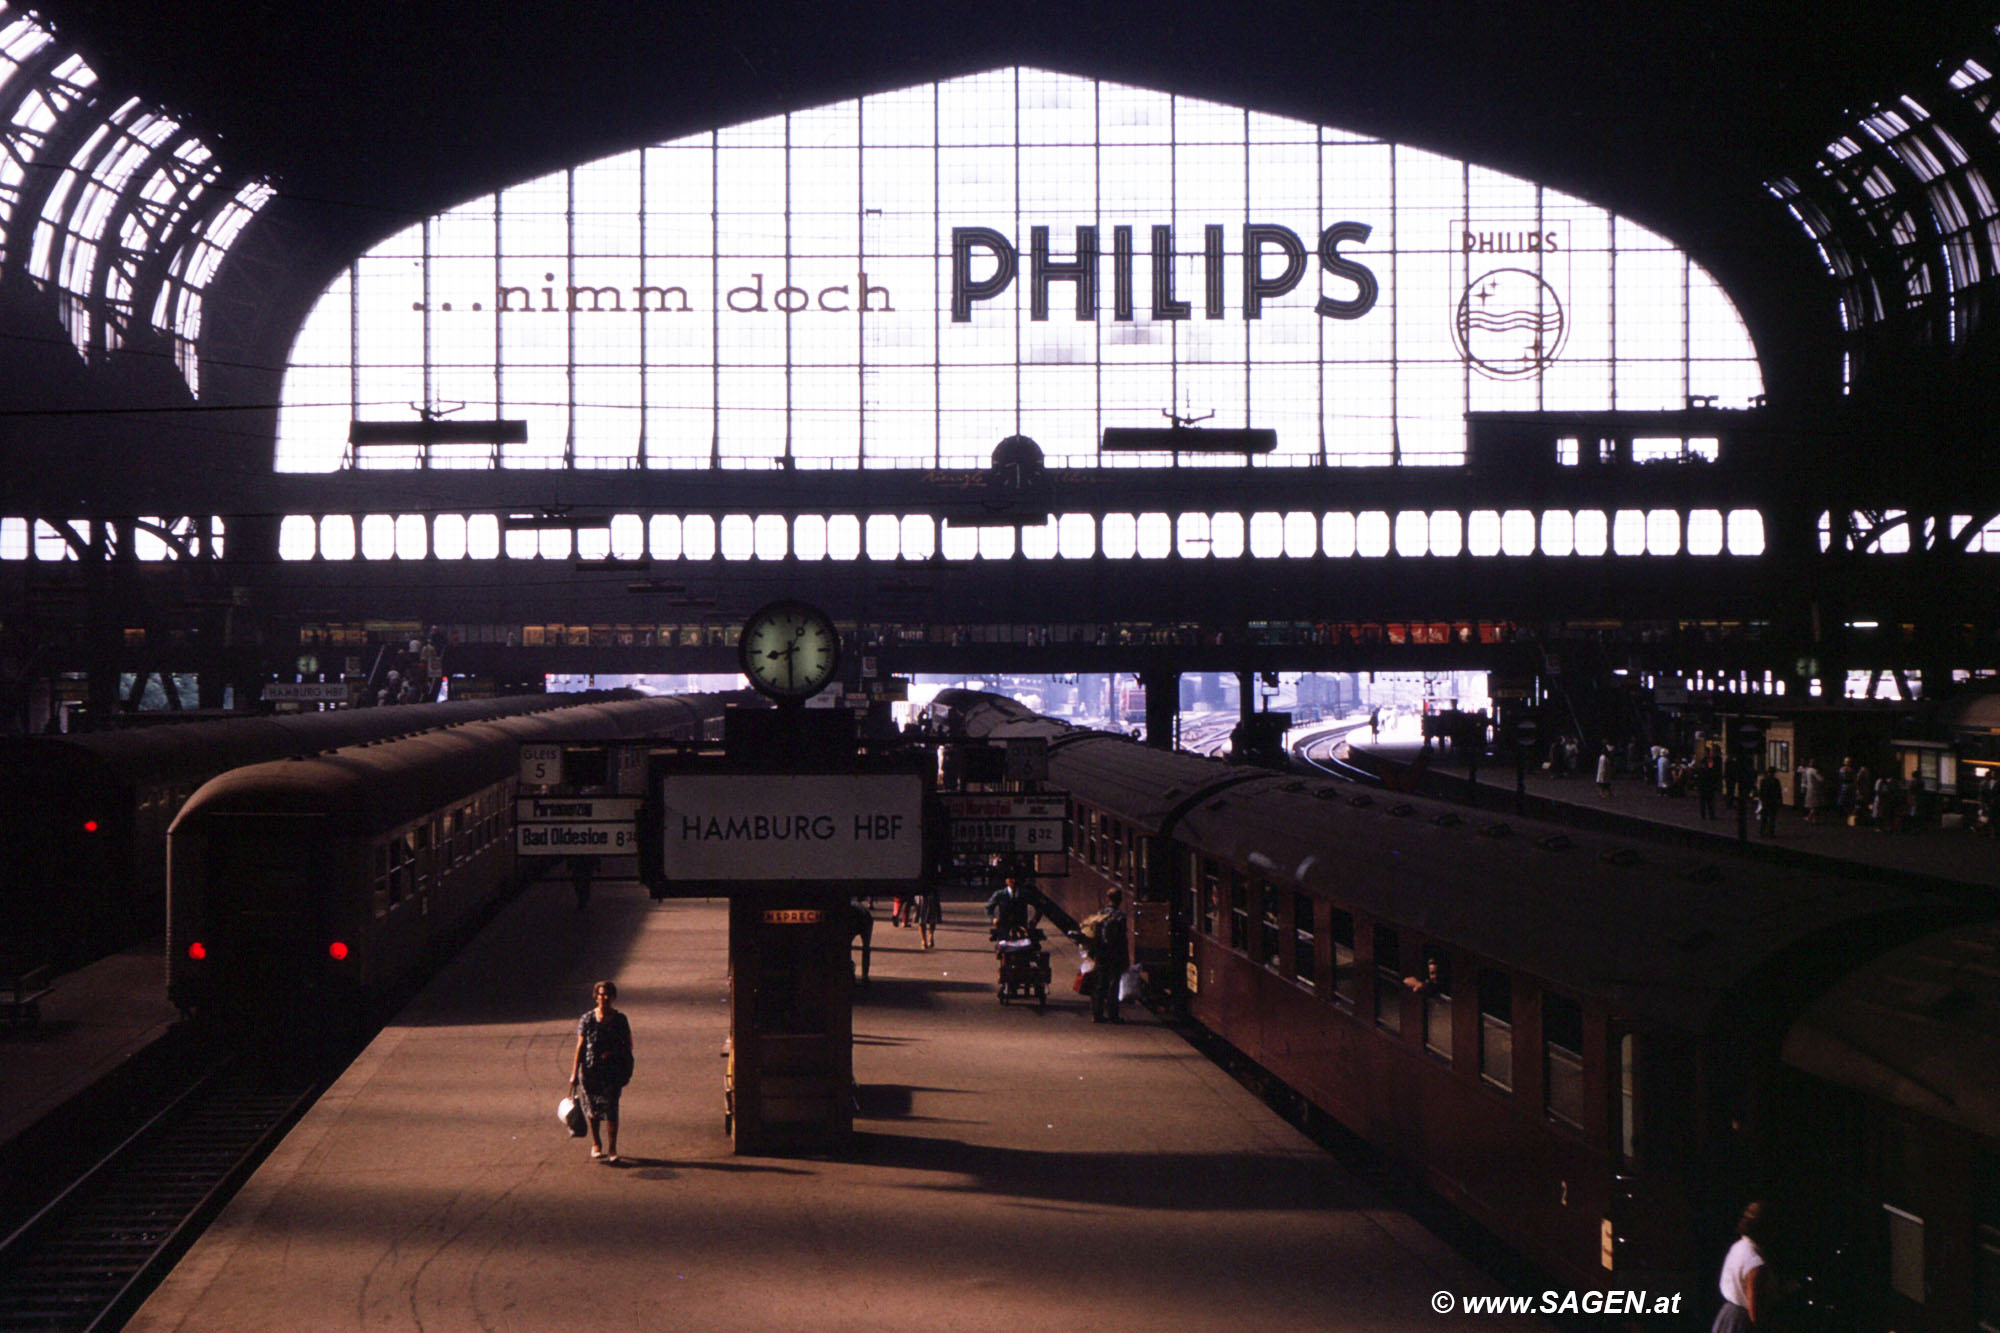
(1071, 537)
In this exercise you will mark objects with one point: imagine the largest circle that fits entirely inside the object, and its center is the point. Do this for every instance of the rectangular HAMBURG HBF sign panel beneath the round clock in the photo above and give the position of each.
(761, 828)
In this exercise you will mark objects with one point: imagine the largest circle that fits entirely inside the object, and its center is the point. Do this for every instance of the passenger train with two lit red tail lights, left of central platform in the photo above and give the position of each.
(329, 880)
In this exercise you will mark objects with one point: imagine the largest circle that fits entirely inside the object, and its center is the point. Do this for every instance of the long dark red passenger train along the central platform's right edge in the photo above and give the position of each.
(1597, 1050)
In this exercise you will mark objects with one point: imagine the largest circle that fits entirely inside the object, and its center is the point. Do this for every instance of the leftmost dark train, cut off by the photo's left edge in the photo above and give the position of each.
(85, 816)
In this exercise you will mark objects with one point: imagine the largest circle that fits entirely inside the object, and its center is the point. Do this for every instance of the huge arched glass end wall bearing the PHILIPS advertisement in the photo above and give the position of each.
(913, 277)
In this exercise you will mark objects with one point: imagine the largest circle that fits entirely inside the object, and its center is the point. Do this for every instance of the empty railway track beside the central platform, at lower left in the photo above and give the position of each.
(95, 1252)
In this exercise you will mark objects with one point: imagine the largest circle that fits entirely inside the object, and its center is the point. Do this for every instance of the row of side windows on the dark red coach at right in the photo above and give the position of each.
(1285, 932)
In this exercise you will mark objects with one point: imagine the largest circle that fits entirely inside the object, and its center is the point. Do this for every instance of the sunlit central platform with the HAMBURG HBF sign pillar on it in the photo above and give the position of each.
(1011, 1168)
